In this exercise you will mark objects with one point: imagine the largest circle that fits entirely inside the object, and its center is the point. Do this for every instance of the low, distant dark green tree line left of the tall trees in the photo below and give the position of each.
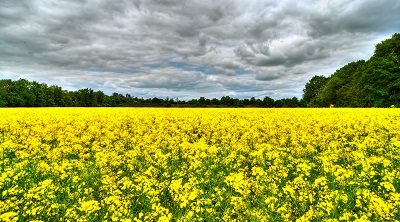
(24, 93)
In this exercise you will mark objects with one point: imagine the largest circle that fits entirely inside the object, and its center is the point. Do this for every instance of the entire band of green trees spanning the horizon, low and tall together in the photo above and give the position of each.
(371, 83)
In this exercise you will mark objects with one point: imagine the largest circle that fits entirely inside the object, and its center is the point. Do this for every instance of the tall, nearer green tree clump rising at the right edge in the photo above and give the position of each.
(371, 83)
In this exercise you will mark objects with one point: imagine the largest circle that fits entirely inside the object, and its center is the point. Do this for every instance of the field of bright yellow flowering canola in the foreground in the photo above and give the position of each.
(156, 164)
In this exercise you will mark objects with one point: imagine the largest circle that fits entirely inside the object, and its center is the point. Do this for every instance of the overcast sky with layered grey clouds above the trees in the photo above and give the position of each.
(189, 48)
